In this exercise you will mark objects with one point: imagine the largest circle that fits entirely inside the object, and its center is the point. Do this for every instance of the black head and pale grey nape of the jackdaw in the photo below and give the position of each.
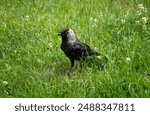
(67, 34)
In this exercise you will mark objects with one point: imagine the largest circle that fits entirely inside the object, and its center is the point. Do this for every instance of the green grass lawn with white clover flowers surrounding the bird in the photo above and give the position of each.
(32, 64)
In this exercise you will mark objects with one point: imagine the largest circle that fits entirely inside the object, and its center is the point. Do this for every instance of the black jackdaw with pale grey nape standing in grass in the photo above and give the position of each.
(73, 48)
